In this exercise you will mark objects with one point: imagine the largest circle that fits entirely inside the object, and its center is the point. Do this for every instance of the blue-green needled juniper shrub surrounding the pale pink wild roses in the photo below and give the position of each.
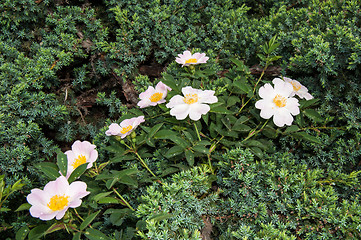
(69, 68)
